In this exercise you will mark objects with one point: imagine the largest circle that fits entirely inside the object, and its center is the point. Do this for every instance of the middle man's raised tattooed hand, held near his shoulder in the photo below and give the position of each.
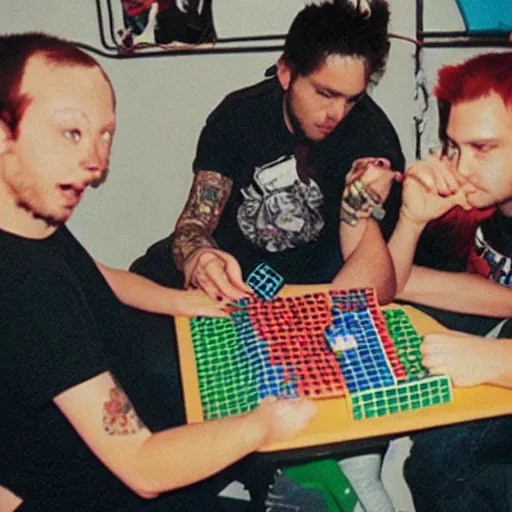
(367, 186)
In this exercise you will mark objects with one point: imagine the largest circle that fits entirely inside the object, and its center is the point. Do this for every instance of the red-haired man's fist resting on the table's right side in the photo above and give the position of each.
(468, 360)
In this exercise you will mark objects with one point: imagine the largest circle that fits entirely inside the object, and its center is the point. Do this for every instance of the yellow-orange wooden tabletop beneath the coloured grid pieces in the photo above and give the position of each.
(332, 426)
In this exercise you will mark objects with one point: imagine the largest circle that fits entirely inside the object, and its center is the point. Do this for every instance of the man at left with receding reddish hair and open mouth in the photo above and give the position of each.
(70, 438)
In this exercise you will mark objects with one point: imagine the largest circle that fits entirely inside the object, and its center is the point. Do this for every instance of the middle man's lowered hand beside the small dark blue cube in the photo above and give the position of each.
(217, 273)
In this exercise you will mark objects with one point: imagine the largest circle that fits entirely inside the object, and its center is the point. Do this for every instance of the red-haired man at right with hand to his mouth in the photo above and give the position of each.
(465, 467)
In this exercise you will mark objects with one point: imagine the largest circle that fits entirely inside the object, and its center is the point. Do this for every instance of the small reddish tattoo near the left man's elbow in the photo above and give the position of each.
(119, 416)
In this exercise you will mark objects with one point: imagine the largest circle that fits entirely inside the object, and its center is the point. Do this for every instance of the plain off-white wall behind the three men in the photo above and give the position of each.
(163, 102)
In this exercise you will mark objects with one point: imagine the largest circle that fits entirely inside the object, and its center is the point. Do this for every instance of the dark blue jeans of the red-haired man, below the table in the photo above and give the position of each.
(462, 468)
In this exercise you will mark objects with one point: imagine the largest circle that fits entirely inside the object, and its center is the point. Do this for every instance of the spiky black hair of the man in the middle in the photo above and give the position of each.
(338, 27)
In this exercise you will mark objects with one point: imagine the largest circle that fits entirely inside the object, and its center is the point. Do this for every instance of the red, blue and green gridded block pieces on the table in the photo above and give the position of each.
(338, 343)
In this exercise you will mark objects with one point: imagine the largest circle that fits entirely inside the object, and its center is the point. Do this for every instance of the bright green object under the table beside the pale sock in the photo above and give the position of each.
(326, 477)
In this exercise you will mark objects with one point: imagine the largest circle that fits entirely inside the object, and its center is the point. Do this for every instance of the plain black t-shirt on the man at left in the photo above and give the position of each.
(60, 325)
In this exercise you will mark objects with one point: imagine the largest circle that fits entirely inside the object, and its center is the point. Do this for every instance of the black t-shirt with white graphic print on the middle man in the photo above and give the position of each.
(272, 214)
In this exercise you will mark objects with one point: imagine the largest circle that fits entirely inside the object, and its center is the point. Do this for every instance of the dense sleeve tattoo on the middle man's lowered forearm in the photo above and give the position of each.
(201, 215)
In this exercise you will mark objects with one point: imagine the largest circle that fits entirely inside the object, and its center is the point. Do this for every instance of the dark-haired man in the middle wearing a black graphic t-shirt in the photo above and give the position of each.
(270, 169)
